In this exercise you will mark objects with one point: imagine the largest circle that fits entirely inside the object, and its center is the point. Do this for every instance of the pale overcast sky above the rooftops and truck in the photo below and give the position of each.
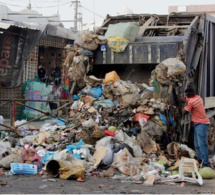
(92, 10)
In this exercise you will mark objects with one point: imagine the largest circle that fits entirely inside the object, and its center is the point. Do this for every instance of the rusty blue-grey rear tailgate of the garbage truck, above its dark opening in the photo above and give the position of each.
(159, 37)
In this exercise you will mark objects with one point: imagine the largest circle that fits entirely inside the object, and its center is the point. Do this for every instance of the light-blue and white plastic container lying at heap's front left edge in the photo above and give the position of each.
(23, 169)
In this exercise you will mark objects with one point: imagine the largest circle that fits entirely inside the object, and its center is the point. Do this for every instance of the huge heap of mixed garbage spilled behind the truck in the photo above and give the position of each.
(116, 129)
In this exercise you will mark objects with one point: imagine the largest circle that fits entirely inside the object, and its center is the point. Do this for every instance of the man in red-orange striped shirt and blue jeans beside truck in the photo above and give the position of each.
(201, 124)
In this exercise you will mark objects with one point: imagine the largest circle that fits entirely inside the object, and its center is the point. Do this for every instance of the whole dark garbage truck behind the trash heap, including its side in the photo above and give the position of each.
(183, 35)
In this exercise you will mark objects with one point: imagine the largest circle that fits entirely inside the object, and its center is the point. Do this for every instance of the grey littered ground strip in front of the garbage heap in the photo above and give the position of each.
(35, 184)
